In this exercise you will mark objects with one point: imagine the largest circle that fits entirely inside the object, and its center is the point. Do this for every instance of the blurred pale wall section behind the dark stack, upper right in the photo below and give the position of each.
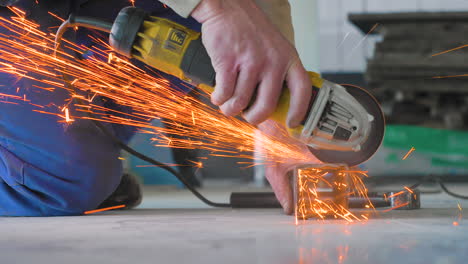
(343, 47)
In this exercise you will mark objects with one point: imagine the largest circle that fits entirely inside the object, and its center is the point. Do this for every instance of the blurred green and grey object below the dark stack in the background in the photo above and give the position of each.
(437, 152)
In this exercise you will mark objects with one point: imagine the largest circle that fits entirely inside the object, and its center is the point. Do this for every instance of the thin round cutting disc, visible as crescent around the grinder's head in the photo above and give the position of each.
(373, 142)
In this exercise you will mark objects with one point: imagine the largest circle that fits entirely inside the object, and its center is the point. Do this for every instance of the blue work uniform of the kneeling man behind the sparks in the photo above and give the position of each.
(48, 168)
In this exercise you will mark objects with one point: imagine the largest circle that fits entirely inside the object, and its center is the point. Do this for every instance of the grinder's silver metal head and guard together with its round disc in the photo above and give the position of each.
(363, 141)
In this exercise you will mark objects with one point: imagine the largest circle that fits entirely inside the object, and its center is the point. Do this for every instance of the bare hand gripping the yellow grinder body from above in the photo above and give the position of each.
(251, 56)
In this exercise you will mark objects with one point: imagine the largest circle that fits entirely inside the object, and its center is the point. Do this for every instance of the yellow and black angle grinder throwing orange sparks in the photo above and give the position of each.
(344, 124)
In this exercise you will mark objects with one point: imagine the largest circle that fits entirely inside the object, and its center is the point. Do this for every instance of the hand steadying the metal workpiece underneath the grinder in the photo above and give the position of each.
(277, 174)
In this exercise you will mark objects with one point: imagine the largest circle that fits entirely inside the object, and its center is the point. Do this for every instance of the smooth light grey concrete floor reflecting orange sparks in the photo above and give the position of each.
(182, 230)
